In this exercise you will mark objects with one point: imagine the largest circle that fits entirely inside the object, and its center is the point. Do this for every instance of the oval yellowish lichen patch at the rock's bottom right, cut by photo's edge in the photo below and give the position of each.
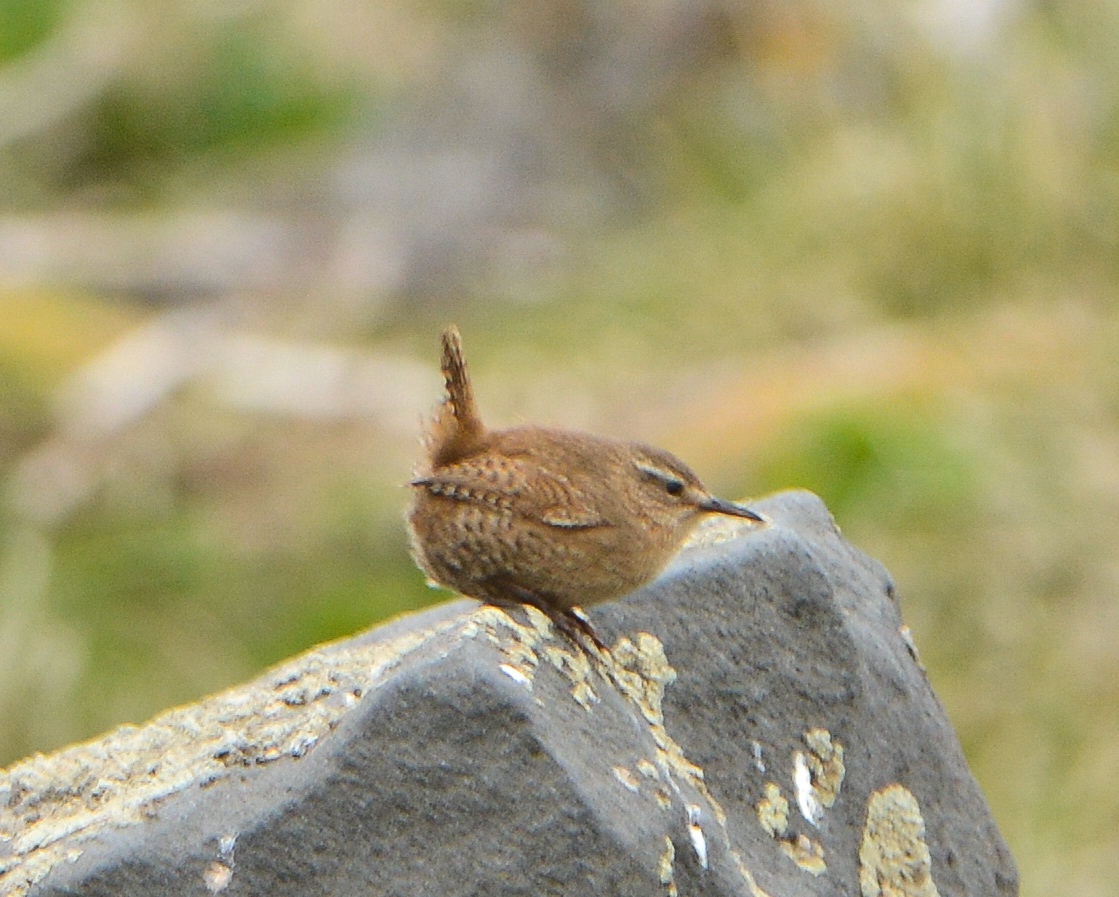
(895, 860)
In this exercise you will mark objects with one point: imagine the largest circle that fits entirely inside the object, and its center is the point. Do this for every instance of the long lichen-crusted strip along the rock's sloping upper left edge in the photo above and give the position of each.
(59, 801)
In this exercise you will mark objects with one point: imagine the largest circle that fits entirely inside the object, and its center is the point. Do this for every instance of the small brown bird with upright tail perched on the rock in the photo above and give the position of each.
(552, 518)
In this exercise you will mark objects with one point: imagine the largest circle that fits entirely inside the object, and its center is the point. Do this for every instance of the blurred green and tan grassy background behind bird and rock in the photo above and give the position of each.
(870, 249)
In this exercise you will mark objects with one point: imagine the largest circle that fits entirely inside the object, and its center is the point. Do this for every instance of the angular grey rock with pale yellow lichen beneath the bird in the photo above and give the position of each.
(760, 728)
